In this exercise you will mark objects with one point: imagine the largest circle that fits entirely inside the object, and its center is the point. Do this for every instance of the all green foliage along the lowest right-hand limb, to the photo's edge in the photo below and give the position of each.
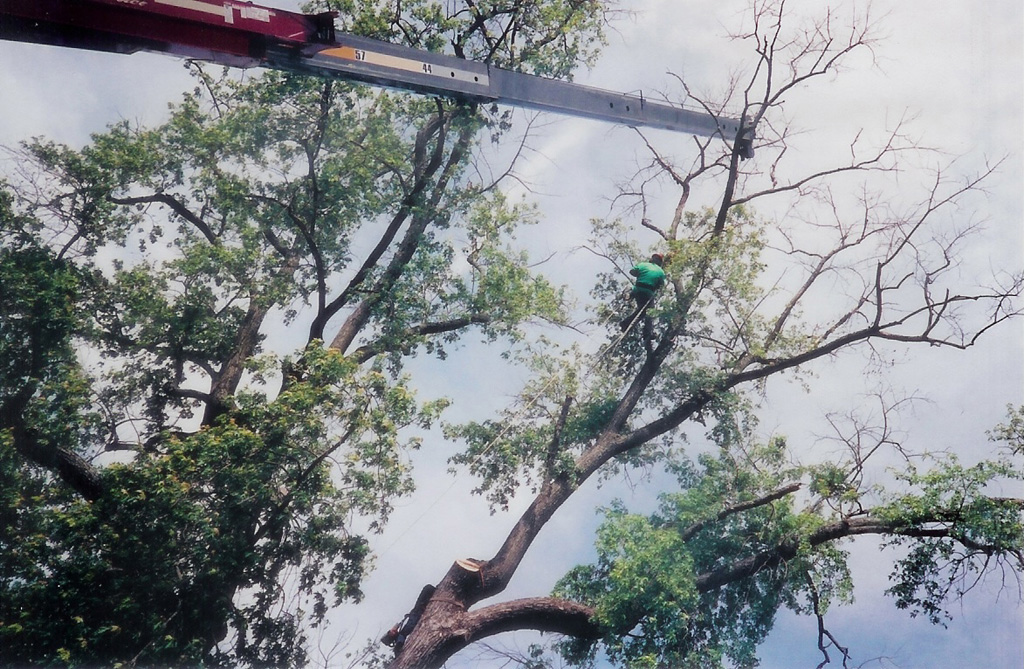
(649, 584)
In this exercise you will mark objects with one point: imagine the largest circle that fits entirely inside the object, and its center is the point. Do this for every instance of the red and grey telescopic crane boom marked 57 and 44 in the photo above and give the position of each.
(242, 34)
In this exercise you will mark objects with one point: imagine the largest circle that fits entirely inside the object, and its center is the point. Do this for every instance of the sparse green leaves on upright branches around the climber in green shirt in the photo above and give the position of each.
(524, 445)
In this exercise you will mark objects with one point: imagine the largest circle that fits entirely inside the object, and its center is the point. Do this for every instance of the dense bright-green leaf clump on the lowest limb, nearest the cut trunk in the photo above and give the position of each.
(645, 584)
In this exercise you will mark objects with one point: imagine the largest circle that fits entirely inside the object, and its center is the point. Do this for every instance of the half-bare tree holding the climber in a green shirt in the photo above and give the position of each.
(751, 528)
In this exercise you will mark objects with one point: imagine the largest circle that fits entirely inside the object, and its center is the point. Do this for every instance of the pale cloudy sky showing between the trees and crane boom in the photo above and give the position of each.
(958, 67)
